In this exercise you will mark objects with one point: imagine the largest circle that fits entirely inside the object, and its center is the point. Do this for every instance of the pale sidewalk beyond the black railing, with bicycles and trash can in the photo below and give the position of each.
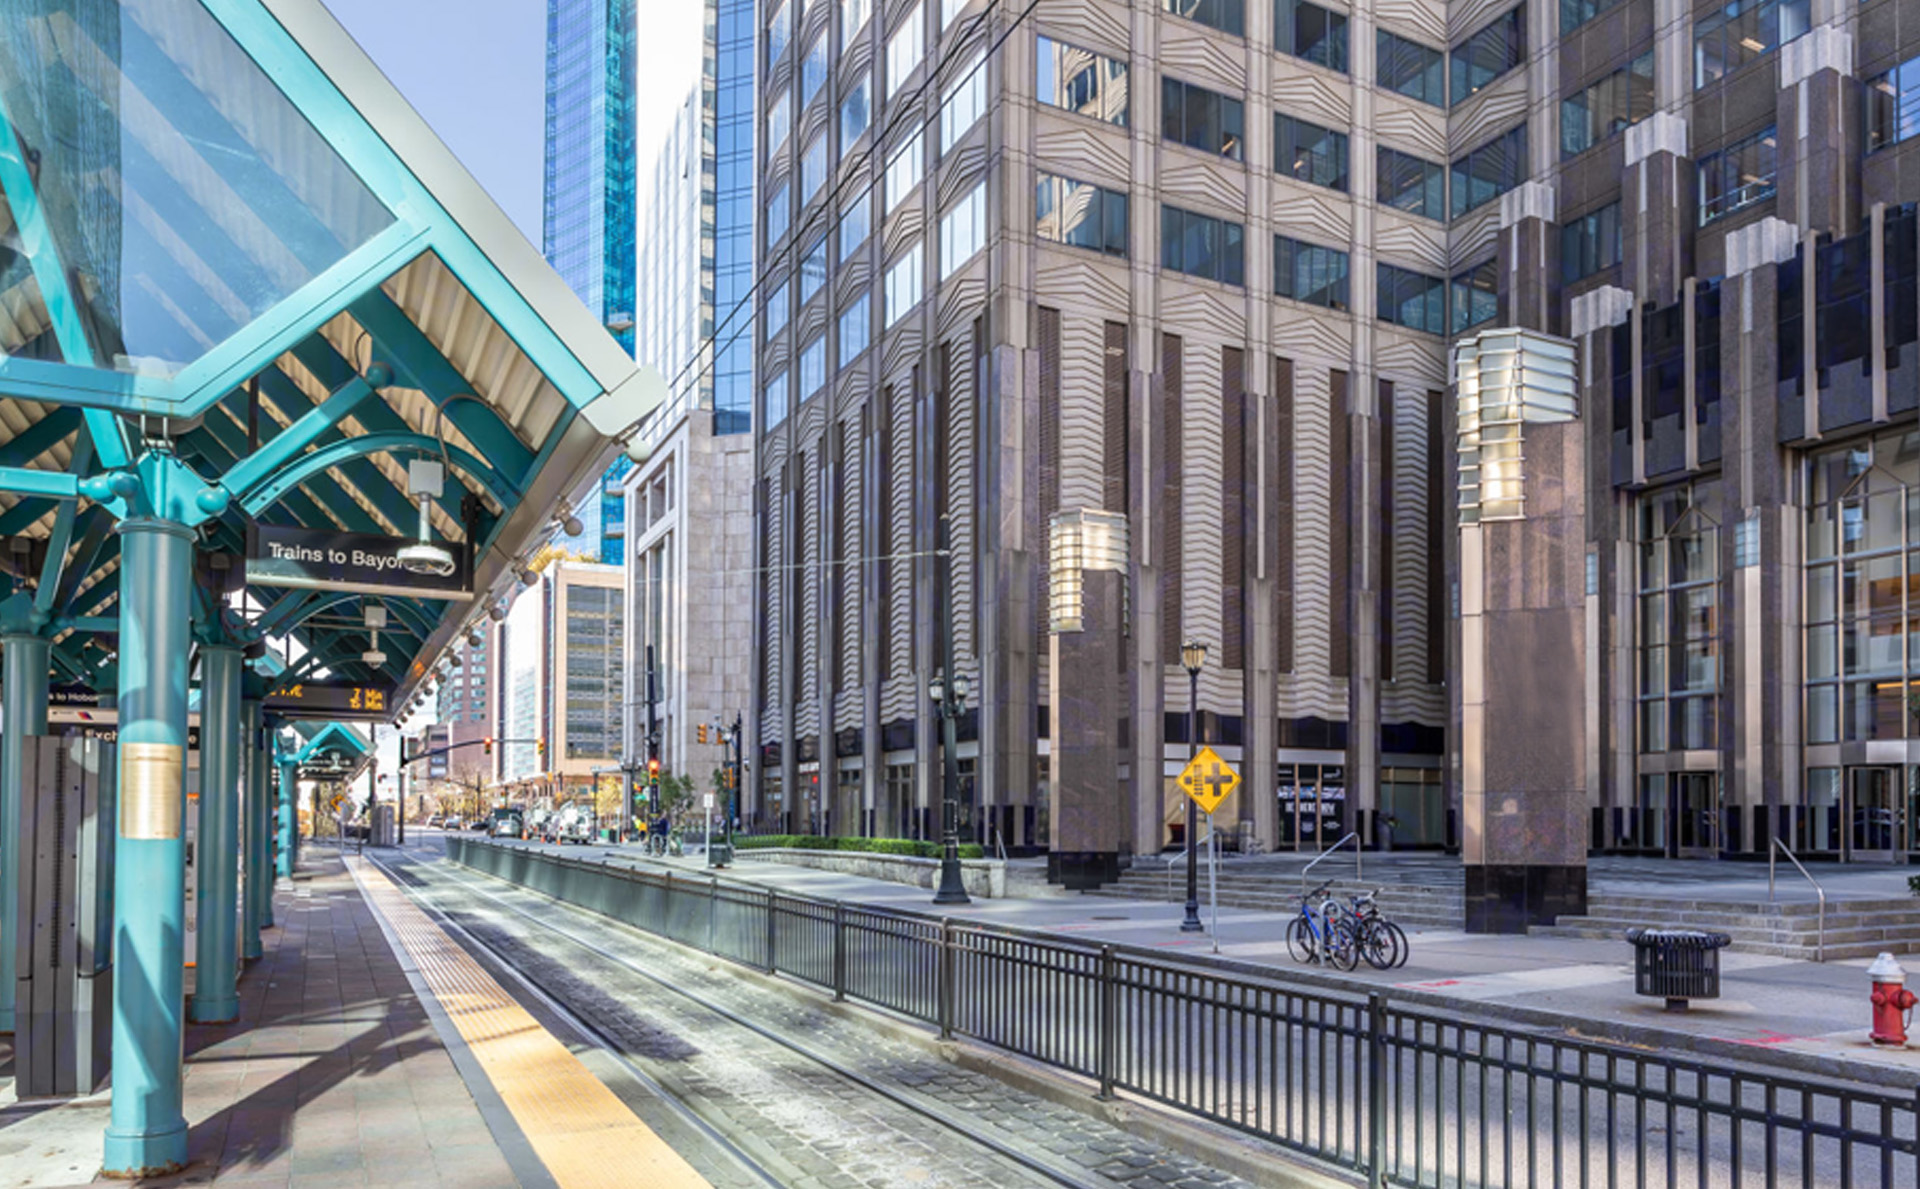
(1810, 1015)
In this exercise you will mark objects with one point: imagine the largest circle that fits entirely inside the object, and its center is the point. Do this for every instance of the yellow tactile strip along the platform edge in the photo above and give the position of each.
(550, 1094)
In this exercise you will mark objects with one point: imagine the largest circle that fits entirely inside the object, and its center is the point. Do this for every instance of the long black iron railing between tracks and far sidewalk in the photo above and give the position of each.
(1397, 1094)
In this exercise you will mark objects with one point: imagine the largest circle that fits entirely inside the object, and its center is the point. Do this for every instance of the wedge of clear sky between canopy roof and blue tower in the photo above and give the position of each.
(479, 78)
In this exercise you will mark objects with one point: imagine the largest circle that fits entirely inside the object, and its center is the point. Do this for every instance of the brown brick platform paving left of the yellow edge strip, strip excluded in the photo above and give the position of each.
(333, 1077)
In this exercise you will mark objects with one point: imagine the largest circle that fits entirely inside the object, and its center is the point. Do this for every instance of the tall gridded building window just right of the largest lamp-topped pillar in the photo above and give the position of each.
(1679, 619)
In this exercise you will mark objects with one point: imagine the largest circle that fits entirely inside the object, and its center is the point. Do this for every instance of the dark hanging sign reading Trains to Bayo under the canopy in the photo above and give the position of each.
(364, 562)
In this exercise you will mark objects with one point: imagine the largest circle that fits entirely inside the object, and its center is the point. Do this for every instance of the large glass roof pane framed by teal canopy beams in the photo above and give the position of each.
(158, 193)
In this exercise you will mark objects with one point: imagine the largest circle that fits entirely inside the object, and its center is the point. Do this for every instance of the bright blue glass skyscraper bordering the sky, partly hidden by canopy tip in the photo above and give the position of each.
(588, 214)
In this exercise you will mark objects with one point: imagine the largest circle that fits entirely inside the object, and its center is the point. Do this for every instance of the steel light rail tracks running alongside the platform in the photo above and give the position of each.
(414, 881)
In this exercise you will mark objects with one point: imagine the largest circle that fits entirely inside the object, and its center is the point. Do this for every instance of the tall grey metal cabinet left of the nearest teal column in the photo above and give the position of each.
(64, 952)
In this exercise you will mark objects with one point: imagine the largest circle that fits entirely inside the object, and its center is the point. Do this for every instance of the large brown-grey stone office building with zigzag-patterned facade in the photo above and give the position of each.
(1201, 264)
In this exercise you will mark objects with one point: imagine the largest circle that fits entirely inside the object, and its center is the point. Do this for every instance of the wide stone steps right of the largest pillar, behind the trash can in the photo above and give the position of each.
(1856, 929)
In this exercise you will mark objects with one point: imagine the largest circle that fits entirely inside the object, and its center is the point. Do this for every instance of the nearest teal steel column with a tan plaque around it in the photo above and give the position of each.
(147, 1132)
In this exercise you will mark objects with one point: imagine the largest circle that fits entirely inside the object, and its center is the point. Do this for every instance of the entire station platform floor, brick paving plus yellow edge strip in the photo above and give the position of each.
(372, 1050)
